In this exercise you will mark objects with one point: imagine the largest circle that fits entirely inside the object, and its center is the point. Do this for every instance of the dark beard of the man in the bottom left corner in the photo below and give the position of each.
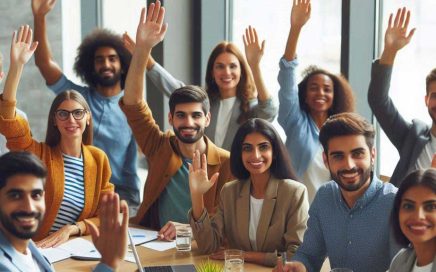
(20, 232)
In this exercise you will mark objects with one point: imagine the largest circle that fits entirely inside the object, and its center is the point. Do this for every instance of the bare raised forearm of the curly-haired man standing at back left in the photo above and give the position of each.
(49, 69)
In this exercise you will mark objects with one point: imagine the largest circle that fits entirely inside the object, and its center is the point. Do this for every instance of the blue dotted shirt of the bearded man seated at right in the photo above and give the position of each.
(357, 238)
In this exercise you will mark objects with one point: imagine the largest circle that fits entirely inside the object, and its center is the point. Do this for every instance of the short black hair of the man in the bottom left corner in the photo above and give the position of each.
(20, 163)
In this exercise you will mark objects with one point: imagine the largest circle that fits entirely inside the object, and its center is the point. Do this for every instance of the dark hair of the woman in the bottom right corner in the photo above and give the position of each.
(425, 178)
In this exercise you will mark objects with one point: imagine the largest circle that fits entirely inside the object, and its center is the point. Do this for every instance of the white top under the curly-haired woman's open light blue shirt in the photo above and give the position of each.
(316, 174)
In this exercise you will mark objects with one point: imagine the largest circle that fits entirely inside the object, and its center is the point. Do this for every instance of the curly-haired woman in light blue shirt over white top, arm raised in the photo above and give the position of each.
(305, 107)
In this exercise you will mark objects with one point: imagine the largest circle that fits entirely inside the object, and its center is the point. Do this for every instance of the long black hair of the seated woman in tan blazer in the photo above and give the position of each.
(281, 165)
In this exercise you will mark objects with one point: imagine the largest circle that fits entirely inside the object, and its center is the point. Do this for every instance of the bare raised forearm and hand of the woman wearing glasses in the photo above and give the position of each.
(22, 49)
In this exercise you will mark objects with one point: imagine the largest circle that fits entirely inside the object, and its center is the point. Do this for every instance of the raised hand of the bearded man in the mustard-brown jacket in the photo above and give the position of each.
(151, 29)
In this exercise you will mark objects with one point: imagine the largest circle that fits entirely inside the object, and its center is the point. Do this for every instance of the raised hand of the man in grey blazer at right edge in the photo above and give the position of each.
(396, 36)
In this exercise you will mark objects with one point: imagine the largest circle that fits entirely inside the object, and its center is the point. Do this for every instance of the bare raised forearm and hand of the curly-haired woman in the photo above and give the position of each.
(300, 14)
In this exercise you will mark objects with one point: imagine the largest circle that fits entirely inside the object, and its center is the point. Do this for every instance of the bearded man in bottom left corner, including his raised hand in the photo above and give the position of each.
(22, 207)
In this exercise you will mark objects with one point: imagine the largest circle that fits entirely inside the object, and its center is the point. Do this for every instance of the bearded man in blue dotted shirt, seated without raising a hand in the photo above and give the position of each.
(349, 219)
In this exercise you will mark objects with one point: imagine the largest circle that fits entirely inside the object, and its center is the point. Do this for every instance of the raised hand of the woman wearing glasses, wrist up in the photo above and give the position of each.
(22, 47)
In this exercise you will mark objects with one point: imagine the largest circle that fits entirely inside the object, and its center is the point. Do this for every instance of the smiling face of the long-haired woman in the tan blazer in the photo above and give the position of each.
(257, 154)
